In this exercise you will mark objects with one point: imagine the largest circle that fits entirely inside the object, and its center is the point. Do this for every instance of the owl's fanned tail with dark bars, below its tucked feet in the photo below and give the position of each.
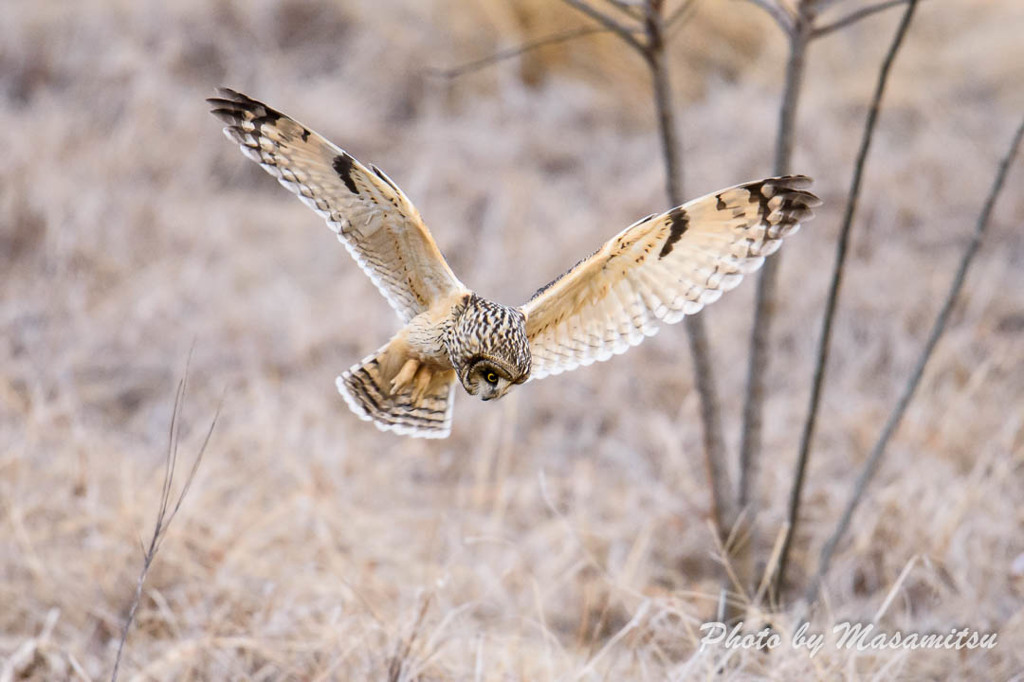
(398, 394)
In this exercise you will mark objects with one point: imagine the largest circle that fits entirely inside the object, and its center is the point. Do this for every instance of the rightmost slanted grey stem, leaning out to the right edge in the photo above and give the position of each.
(872, 465)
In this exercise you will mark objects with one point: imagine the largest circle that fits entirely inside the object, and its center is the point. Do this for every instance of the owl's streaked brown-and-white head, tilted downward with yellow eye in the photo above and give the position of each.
(489, 349)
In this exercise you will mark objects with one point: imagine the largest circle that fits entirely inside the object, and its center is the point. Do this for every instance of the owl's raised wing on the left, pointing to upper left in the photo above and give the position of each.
(371, 216)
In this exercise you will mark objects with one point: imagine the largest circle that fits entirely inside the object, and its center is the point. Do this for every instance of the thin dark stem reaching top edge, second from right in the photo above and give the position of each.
(832, 301)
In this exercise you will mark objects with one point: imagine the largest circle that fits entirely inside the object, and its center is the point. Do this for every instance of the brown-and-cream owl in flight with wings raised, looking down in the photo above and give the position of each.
(655, 272)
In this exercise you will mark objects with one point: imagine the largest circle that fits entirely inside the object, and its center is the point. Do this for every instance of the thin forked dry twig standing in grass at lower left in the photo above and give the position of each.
(165, 515)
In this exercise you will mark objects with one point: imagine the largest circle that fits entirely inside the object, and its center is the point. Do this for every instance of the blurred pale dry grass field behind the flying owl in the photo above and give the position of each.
(561, 534)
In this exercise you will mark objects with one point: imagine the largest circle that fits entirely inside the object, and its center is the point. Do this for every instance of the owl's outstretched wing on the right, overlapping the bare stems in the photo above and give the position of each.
(660, 270)
